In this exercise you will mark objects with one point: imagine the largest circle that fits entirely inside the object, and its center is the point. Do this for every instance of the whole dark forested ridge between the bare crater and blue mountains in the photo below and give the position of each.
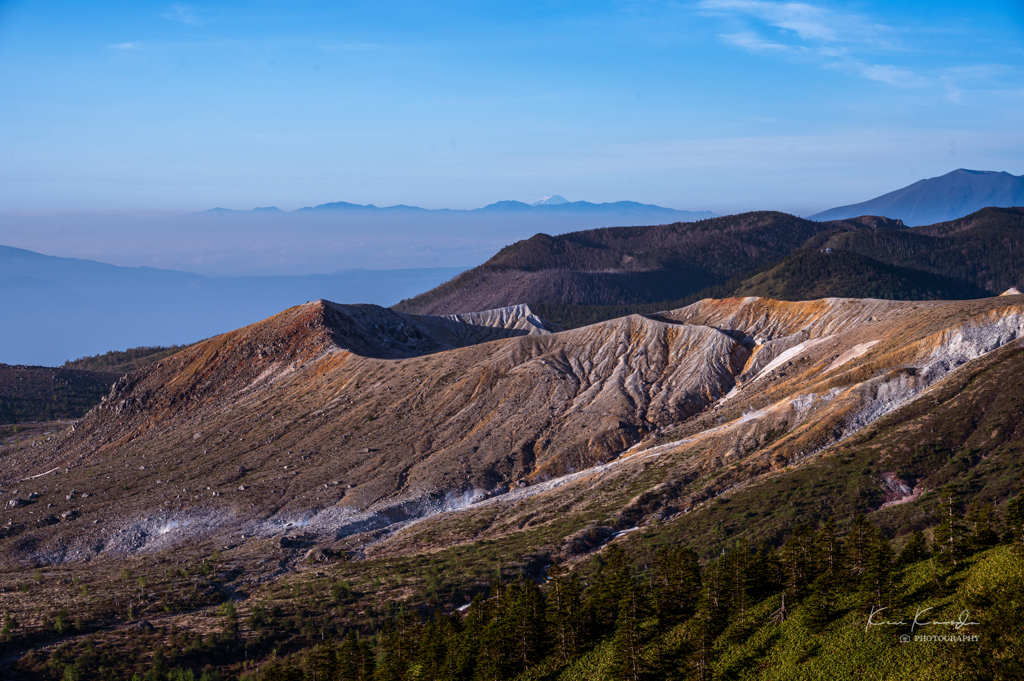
(584, 278)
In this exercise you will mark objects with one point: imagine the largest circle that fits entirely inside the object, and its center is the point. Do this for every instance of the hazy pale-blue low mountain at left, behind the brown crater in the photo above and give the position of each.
(56, 310)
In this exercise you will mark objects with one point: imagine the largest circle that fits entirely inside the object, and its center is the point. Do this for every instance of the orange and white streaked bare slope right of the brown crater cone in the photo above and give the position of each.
(821, 372)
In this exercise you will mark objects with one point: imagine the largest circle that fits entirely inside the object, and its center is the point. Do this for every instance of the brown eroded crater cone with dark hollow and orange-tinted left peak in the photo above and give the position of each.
(277, 423)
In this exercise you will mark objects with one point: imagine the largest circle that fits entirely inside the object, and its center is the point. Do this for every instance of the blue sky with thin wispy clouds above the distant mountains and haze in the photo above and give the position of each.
(714, 105)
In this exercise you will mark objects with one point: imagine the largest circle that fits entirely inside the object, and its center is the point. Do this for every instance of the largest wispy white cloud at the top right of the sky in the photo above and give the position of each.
(835, 40)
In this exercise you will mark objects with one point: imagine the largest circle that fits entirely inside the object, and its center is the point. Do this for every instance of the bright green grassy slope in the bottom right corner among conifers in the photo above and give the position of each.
(843, 650)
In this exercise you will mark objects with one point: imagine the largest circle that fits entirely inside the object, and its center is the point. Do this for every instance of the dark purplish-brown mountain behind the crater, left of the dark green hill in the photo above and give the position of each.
(621, 266)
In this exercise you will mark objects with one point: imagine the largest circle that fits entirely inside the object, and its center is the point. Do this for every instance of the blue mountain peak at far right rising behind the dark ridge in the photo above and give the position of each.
(938, 199)
